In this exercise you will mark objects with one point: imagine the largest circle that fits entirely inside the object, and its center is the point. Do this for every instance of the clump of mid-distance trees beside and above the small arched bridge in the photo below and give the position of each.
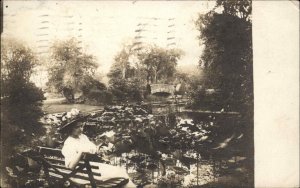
(131, 72)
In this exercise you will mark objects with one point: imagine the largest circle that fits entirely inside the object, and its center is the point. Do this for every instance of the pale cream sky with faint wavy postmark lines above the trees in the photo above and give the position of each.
(103, 26)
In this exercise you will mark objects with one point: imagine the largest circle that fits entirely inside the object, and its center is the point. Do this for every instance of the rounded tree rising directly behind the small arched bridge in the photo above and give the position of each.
(159, 64)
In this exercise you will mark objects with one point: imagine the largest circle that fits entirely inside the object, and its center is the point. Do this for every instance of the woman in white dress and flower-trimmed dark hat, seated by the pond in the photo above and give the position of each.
(77, 144)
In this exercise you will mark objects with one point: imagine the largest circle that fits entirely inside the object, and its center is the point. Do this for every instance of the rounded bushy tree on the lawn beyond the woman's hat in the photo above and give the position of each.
(71, 69)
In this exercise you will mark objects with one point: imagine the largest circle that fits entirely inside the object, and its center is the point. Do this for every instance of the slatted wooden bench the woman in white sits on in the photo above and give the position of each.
(84, 174)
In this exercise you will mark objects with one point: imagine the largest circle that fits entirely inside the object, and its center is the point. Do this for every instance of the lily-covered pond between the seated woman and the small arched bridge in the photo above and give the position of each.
(166, 147)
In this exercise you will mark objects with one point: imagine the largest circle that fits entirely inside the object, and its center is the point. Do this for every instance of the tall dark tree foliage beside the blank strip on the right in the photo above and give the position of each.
(227, 56)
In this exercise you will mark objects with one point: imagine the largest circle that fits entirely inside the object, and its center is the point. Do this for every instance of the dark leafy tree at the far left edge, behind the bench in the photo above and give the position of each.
(21, 100)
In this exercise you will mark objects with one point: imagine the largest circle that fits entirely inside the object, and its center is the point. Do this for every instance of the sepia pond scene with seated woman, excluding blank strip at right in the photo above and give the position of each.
(133, 94)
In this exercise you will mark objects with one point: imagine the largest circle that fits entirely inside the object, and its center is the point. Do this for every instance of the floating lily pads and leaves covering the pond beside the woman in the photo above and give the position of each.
(142, 141)
